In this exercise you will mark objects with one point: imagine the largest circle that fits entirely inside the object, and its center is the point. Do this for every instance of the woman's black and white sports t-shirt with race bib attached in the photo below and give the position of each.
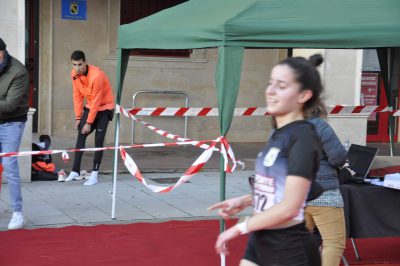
(294, 149)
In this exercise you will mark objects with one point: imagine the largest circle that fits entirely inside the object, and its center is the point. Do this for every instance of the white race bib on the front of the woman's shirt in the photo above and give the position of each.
(264, 193)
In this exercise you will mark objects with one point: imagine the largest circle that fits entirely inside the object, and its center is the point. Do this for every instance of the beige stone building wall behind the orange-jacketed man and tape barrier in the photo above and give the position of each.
(97, 36)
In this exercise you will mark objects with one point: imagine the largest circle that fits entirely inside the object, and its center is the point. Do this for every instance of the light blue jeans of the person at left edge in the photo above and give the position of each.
(10, 140)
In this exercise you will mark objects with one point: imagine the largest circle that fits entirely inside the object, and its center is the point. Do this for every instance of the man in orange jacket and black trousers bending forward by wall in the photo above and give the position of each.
(89, 82)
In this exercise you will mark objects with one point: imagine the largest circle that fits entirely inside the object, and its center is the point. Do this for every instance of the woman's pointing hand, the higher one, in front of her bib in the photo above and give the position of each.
(232, 206)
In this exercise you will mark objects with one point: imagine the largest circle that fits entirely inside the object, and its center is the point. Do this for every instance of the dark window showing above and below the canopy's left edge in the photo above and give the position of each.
(132, 10)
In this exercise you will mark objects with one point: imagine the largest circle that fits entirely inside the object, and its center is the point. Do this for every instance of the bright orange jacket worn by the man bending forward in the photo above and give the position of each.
(96, 88)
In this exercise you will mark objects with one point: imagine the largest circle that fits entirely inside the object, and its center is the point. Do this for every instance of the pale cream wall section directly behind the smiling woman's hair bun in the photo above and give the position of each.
(341, 76)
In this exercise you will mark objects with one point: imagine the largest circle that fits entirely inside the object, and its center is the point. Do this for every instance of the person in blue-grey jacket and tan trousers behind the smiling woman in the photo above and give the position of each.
(326, 212)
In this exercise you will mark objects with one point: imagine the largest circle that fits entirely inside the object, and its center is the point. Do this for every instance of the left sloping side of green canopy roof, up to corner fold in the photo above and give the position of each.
(193, 24)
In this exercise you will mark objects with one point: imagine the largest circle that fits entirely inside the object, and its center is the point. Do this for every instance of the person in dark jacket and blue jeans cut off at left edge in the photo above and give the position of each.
(14, 95)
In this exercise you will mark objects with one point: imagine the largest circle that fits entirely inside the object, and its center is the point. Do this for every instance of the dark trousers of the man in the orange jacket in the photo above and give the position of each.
(100, 124)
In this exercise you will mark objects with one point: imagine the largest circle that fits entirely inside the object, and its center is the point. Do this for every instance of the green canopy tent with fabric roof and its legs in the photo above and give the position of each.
(232, 25)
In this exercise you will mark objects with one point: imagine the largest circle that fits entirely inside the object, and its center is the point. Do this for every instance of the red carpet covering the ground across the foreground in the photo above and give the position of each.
(173, 243)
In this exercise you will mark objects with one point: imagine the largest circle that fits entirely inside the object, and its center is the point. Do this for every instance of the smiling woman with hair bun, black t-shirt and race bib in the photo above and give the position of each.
(285, 170)
